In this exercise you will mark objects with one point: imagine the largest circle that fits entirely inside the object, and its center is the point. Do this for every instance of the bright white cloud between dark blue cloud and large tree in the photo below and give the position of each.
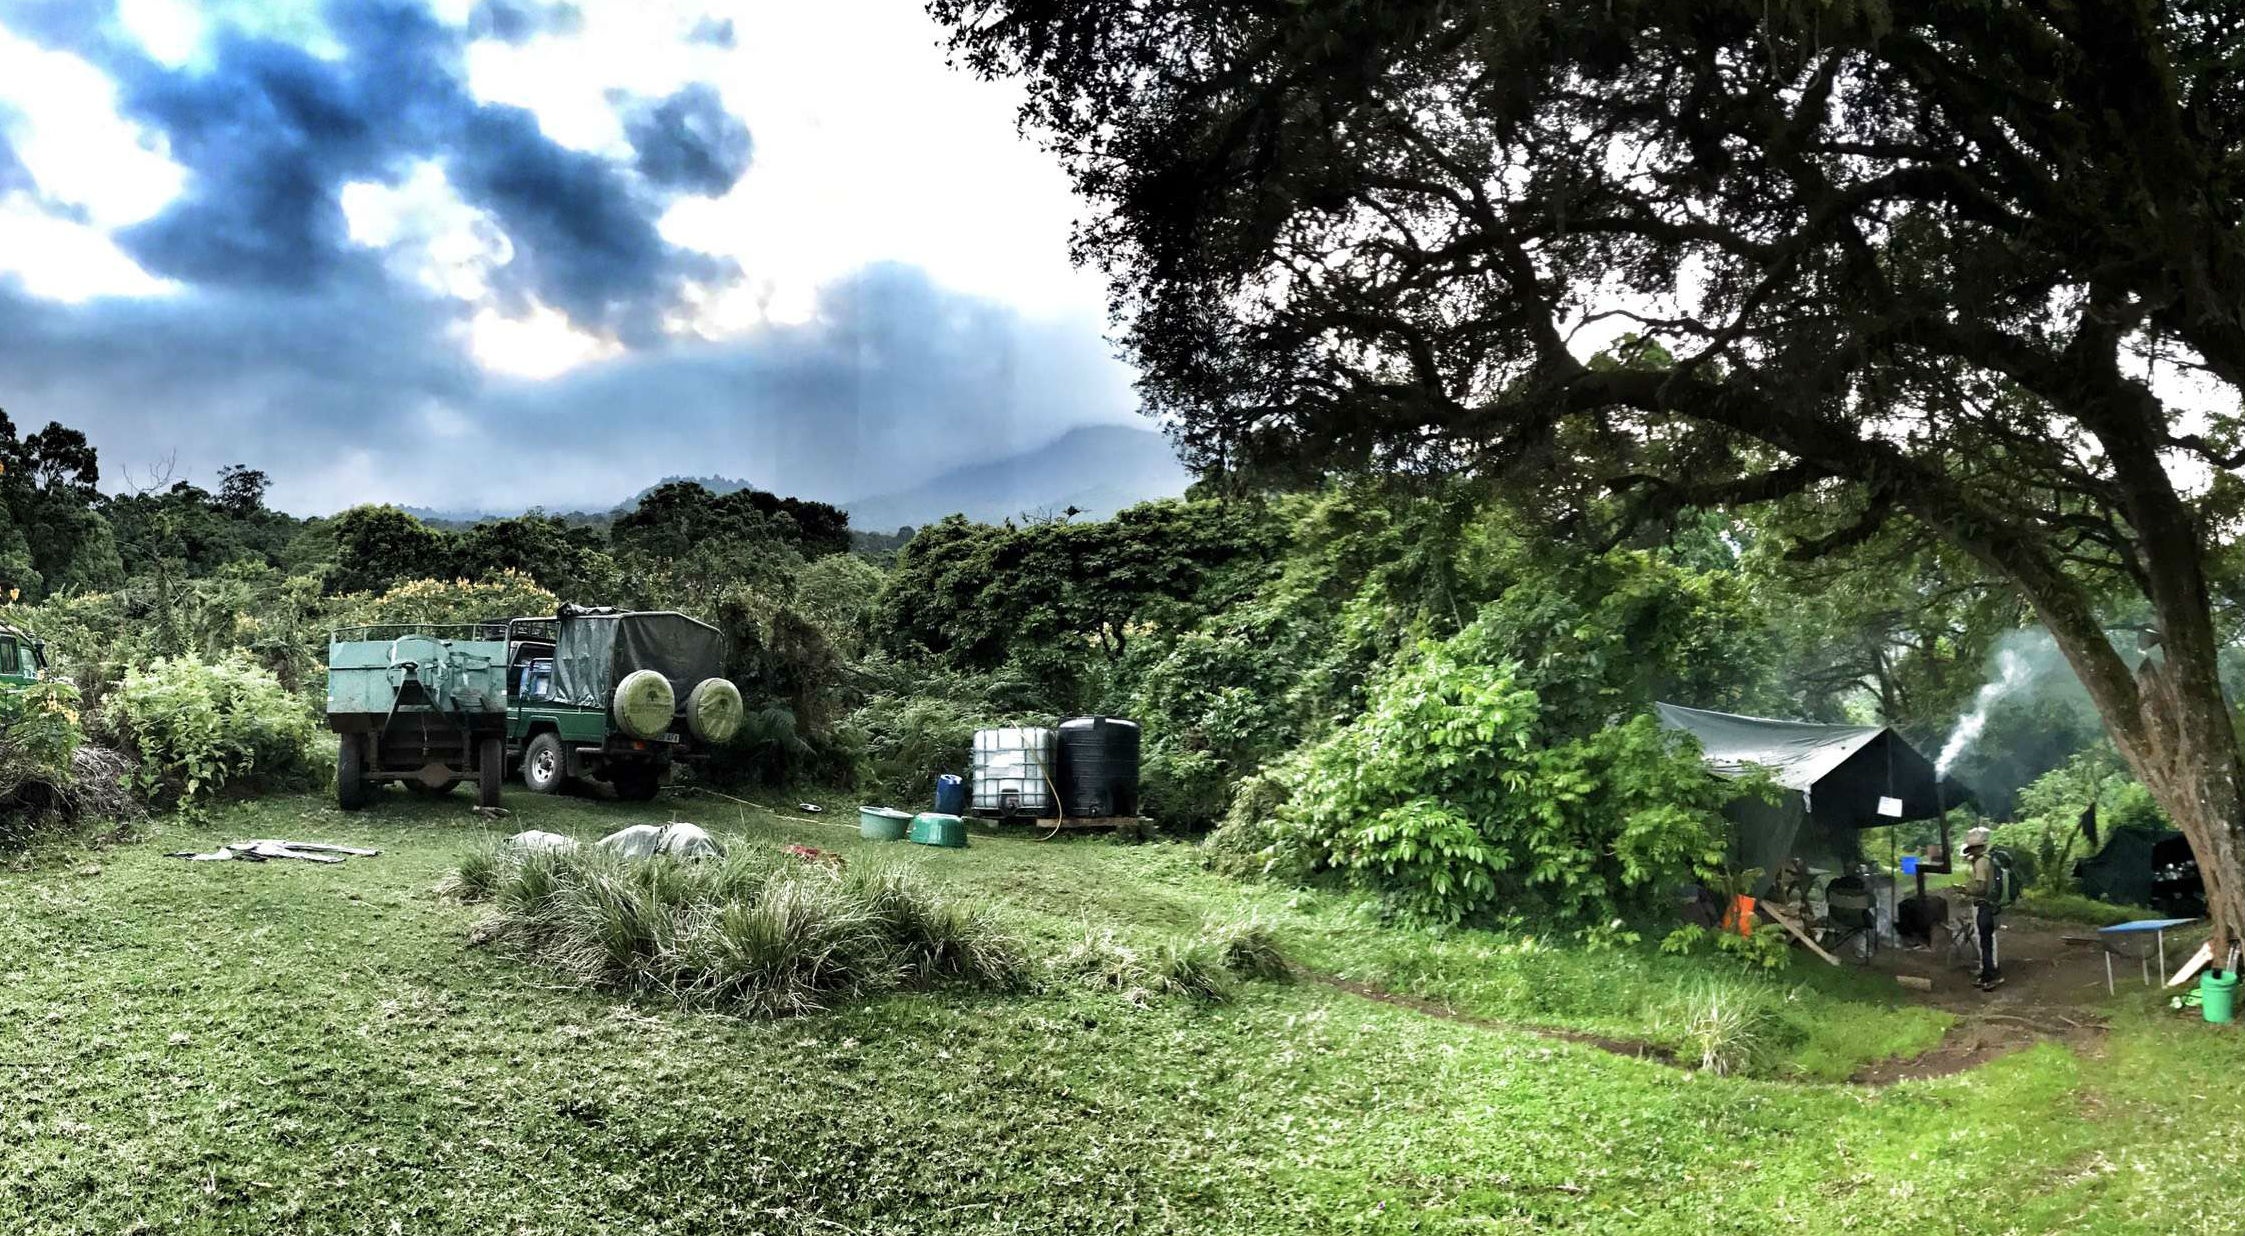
(870, 147)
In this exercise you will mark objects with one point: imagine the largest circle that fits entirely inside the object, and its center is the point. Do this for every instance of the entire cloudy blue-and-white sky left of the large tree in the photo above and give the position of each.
(482, 255)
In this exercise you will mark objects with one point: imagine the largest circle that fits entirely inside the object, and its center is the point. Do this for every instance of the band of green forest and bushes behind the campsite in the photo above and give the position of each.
(1481, 663)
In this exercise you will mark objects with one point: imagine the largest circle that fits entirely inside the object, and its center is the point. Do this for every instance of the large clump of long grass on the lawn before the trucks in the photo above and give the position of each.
(753, 932)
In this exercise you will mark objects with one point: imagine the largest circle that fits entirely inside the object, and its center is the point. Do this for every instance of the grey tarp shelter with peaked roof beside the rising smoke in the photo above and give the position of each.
(1833, 784)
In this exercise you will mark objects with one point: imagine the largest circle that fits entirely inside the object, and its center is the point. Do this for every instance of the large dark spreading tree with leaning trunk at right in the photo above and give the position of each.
(1934, 261)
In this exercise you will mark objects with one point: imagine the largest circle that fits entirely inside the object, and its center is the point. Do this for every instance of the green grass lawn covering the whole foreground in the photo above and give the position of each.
(318, 1049)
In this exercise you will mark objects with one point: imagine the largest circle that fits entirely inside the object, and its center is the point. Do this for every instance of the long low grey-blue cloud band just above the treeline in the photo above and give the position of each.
(363, 394)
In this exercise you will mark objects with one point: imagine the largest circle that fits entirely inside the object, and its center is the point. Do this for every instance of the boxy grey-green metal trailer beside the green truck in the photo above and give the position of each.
(419, 703)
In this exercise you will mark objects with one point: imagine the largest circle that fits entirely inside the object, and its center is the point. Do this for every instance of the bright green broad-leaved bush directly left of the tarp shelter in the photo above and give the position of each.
(1440, 800)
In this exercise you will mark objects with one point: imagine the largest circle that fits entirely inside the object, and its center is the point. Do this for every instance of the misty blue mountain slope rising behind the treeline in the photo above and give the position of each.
(1097, 470)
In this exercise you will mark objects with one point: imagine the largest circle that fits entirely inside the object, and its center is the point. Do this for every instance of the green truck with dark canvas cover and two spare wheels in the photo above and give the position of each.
(618, 697)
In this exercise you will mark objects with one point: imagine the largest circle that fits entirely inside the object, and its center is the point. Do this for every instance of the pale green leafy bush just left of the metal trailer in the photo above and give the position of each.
(205, 726)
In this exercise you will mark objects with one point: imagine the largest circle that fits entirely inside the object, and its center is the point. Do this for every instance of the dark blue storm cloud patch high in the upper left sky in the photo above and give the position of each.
(271, 136)
